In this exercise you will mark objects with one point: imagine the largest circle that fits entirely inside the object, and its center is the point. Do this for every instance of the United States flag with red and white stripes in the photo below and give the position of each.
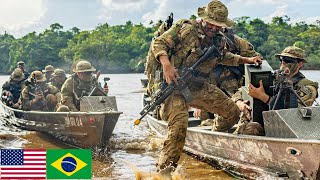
(23, 164)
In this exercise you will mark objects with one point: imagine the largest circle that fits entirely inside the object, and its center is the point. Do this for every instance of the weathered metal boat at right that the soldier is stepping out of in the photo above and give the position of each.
(283, 153)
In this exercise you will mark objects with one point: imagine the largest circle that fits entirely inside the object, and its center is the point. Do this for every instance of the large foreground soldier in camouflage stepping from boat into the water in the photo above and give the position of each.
(186, 39)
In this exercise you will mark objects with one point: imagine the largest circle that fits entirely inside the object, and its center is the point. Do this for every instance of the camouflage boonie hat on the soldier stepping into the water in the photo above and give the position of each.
(215, 13)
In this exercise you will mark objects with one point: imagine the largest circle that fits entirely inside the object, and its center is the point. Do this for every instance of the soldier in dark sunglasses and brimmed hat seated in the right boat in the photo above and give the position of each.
(291, 61)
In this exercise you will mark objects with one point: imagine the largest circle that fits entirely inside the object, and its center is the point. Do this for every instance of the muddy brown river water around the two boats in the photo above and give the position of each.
(133, 151)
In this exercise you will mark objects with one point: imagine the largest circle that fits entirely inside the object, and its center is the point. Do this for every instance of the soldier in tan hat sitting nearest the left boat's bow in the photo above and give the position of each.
(81, 83)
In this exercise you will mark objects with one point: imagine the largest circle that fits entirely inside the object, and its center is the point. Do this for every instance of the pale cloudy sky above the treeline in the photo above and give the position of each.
(19, 17)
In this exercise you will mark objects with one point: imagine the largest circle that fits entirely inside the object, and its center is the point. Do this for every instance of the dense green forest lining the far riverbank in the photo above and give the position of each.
(118, 49)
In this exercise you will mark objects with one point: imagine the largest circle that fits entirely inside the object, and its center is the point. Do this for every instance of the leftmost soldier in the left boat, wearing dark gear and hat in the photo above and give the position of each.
(12, 88)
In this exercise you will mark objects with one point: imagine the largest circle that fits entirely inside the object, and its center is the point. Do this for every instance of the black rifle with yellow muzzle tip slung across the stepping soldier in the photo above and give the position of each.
(186, 75)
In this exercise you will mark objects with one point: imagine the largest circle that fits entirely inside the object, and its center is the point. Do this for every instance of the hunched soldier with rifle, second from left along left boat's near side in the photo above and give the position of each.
(38, 95)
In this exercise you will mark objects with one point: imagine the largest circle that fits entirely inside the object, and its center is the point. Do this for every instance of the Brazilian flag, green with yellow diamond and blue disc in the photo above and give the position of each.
(69, 164)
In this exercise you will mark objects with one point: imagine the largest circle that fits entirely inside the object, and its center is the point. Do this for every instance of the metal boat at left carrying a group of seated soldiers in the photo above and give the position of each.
(90, 128)
